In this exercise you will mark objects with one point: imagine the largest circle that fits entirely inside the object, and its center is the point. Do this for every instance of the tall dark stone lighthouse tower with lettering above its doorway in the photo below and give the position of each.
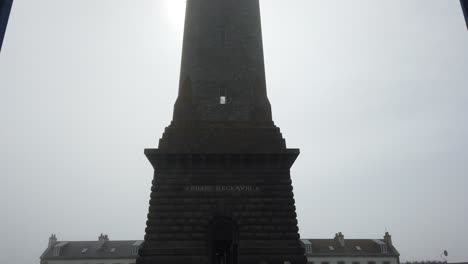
(222, 190)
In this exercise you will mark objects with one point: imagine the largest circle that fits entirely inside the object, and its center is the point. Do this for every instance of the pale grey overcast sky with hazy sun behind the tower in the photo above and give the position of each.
(374, 93)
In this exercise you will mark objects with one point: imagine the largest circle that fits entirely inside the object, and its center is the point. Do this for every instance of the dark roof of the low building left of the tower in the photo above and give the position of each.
(92, 250)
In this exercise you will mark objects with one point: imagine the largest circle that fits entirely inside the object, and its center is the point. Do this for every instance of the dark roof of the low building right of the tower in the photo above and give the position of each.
(349, 247)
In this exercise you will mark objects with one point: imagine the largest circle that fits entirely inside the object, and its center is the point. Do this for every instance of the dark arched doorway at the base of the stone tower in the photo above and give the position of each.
(224, 241)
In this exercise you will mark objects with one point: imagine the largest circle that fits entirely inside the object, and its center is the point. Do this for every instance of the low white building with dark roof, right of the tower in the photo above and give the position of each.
(351, 251)
